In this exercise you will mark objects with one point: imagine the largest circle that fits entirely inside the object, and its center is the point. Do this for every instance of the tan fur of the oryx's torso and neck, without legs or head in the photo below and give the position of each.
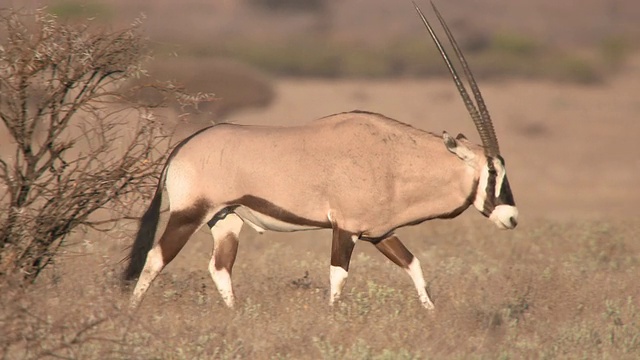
(374, 173)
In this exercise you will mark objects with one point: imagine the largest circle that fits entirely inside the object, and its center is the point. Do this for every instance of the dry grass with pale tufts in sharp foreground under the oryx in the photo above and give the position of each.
(548, 290)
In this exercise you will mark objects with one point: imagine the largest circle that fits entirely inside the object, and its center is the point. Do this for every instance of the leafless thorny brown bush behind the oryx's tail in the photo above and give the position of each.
(77, 143)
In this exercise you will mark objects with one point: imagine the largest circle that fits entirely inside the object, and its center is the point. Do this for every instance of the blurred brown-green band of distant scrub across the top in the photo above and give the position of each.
(576, 41)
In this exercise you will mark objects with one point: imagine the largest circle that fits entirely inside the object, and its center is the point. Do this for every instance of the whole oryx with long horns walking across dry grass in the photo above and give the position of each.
(359, 173)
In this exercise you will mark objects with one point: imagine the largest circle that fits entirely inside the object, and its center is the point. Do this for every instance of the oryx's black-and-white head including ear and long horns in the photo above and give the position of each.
(493, 197)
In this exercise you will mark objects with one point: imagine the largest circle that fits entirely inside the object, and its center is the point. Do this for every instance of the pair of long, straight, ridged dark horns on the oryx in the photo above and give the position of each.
(481, 118)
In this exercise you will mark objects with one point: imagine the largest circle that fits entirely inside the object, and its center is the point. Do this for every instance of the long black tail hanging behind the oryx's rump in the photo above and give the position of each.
(144, 239)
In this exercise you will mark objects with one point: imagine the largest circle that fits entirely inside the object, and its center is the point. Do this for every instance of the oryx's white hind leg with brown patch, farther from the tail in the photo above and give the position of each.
(225, 234)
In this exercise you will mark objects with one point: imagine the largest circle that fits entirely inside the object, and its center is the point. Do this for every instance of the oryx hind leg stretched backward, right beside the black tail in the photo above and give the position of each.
(181, 226)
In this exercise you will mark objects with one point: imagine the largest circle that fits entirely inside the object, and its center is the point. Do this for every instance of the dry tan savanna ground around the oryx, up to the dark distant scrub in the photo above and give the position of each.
(564, 284)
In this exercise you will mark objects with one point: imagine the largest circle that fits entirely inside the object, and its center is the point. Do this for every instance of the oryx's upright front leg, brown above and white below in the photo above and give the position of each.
(341, 250)
